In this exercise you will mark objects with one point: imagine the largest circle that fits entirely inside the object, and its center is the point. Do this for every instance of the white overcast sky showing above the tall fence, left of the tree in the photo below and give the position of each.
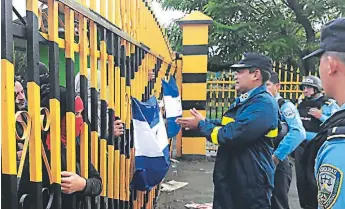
(164, 17)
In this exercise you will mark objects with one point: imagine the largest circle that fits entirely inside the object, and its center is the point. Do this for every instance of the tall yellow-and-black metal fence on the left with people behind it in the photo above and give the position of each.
(123, 40)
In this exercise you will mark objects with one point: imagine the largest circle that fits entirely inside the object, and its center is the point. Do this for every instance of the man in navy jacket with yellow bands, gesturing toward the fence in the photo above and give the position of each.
(244, 169)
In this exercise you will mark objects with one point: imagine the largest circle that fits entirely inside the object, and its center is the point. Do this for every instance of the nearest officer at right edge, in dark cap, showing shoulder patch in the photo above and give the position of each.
(328, 151)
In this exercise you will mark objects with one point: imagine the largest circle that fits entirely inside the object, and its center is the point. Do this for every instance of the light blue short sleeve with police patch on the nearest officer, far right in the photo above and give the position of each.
(330, 169)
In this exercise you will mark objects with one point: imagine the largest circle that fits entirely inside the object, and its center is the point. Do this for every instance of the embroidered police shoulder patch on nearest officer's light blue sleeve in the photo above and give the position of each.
(329, 179)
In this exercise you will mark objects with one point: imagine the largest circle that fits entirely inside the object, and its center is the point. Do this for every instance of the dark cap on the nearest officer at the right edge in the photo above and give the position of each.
(332, 38)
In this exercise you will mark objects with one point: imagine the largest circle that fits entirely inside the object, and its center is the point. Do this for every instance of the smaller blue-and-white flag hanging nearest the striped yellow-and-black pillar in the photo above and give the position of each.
(173, 107)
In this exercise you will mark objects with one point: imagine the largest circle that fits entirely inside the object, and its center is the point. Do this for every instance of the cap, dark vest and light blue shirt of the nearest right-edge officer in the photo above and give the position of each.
(329, 144)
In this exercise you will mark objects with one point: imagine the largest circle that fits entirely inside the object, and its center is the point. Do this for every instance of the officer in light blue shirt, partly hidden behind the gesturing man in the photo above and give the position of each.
(290, 136)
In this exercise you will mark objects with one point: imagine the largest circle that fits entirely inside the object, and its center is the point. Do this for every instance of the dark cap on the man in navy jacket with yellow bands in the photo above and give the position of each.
(250, 60)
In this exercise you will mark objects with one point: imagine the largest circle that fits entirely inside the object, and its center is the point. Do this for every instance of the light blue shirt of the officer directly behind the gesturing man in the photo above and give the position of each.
(296, 133)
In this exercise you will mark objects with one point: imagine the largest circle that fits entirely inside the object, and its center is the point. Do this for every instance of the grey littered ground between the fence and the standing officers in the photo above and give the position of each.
(198, 173)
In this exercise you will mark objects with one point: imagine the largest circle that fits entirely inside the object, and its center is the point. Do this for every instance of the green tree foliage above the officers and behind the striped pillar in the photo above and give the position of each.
(286, 30)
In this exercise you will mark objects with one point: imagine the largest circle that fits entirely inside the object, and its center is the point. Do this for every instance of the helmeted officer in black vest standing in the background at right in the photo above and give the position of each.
(314, 109)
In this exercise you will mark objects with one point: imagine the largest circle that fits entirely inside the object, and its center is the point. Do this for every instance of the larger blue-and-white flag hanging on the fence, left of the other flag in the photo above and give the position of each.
(151, 145)
